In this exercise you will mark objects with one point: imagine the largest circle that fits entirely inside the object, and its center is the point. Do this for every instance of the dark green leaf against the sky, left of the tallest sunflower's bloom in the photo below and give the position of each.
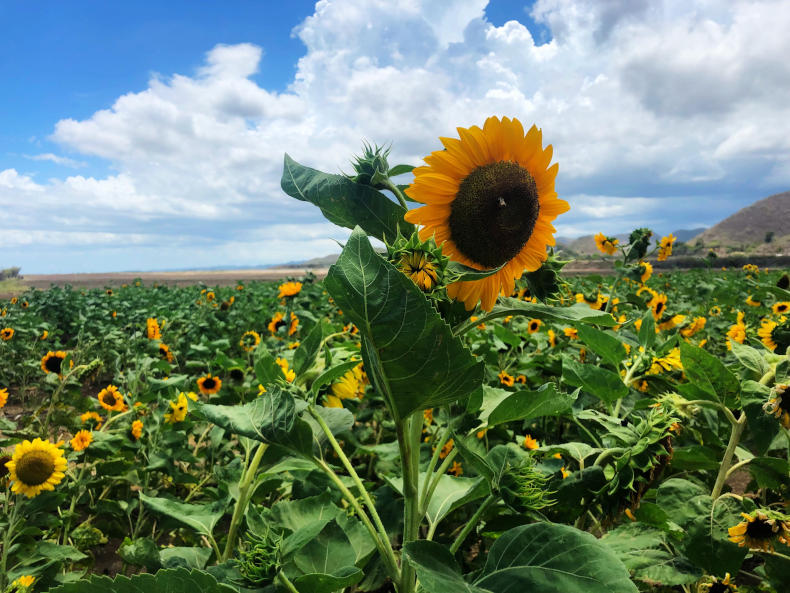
(345, 202)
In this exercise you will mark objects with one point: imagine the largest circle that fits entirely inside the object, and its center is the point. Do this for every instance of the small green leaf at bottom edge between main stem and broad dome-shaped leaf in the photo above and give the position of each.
(436, 568)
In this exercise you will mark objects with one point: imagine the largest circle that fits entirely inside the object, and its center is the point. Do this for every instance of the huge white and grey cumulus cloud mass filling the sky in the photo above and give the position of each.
(660, 113)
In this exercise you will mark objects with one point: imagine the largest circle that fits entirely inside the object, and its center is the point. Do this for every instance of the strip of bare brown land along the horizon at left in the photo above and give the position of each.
(208, 277)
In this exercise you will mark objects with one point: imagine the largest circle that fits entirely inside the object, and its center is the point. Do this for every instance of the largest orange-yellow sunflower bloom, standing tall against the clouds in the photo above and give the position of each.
(489, 201)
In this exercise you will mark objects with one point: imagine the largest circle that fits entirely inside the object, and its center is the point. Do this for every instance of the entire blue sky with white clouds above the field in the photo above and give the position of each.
(150, 135)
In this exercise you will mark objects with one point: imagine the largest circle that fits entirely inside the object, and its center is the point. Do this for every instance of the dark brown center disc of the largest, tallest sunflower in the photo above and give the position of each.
(494, 213)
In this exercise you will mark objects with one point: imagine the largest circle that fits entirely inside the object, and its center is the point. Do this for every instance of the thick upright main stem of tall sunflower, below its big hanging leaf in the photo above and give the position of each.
(409, 442)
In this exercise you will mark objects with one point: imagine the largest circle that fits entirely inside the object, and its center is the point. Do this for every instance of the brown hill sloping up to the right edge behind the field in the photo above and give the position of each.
(761, 228)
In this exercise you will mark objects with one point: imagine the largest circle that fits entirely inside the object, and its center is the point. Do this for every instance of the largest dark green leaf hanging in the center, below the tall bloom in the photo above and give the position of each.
(409, 351)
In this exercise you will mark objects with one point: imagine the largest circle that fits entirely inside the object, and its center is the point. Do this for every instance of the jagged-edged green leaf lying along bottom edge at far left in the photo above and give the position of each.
(177, 580)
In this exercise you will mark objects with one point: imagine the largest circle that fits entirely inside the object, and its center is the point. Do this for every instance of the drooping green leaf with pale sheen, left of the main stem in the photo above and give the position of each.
(270, 418)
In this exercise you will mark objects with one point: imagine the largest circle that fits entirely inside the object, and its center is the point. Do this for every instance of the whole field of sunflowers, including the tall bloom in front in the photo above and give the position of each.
(449, 413)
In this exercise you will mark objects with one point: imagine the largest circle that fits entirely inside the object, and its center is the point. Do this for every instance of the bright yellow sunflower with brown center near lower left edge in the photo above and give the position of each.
(36, 466)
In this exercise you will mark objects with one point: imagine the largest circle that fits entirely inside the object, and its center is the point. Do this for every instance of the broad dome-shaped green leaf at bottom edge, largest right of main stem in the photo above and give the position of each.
(548, 558)
